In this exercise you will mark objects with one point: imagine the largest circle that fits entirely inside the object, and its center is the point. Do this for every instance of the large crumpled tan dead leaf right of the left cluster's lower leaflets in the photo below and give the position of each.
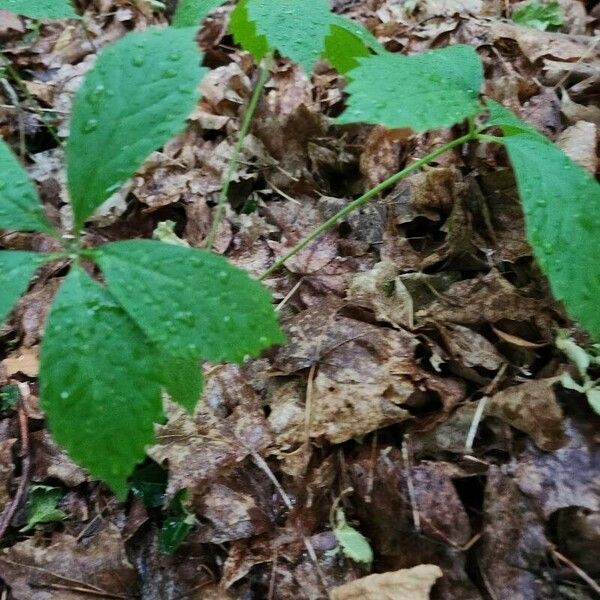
(367, 378)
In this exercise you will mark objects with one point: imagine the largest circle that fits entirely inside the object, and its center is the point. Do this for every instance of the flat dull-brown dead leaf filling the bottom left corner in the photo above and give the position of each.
(35, 571)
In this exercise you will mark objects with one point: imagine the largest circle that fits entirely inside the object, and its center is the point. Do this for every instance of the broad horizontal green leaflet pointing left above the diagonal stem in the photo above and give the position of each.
(424, 91)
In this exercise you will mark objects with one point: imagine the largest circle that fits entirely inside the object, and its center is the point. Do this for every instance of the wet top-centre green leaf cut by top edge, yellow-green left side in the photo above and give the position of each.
(296, 29)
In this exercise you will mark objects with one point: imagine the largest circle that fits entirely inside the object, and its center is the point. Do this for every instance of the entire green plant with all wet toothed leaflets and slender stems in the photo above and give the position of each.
(133, 318)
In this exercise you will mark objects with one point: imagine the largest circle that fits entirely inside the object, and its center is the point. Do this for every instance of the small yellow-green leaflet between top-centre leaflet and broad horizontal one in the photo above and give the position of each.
(347, 41)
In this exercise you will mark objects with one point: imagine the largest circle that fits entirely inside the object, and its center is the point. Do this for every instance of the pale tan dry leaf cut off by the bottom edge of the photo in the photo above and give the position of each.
(405, 584)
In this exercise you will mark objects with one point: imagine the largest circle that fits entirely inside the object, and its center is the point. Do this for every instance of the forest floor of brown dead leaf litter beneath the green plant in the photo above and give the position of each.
(419, 394)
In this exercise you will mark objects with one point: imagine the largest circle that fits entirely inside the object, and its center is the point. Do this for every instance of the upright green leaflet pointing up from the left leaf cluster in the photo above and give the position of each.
(134, 99)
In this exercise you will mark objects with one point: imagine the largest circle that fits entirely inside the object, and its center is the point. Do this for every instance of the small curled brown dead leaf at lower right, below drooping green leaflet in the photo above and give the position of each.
(531, 407)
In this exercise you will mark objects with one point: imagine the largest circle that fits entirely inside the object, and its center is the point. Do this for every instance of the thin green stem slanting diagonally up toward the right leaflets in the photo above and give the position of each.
(366, 197)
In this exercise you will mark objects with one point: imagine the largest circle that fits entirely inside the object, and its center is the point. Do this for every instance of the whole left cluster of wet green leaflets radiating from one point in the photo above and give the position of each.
(110, 348)
